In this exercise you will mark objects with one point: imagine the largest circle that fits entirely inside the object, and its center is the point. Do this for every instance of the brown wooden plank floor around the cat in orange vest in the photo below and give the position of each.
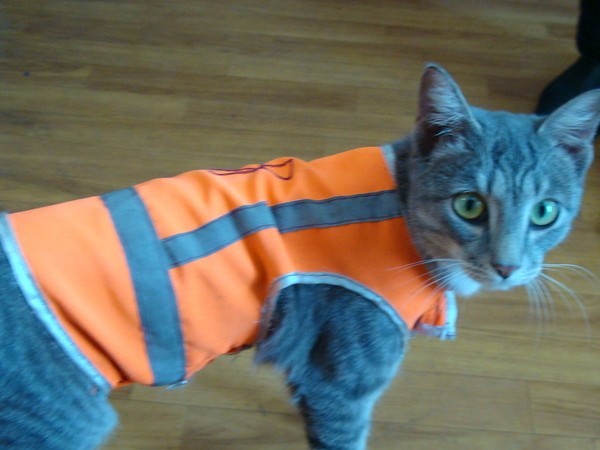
(97, 95)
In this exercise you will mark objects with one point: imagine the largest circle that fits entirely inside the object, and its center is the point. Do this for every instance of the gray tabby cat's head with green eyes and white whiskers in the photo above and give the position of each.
(489, 193)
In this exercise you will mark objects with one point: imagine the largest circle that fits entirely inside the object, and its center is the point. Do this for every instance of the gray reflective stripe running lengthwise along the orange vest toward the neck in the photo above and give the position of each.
(286, 217)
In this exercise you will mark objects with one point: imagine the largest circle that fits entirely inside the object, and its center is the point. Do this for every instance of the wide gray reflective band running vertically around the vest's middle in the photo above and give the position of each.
(155, 295)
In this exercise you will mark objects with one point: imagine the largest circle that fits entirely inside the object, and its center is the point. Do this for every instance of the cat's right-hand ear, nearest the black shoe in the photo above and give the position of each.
(573, 126)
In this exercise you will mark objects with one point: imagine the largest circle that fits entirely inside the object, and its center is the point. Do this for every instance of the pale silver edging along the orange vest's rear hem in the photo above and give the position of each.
(36, 301)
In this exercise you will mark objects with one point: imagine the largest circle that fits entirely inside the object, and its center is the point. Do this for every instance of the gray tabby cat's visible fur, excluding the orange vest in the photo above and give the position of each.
(485, 194)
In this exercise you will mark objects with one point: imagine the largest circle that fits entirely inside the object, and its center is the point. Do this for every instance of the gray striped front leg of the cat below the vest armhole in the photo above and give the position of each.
(339, 351)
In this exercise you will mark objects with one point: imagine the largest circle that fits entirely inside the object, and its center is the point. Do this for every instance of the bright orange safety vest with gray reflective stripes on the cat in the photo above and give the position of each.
(153, 282)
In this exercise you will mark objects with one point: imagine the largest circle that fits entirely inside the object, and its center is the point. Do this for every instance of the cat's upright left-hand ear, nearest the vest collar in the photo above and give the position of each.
(443, 111)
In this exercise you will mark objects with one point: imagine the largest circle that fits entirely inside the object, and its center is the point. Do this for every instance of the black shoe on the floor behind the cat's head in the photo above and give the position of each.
(582, 76)
